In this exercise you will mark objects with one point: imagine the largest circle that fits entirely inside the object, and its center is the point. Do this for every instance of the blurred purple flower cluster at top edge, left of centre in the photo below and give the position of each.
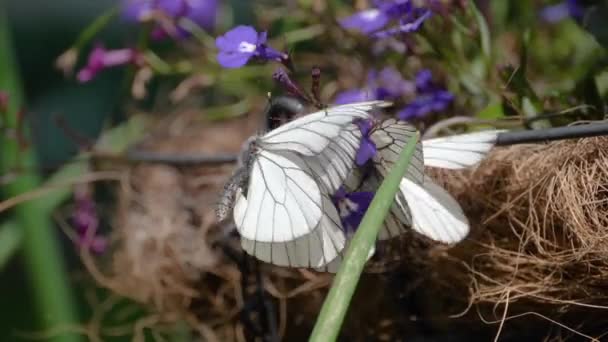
(167, 14)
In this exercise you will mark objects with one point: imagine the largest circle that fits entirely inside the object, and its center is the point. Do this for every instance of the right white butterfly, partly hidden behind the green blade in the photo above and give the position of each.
(421, 204)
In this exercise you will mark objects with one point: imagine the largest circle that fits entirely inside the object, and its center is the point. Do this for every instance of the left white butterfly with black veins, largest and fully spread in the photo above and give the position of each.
(283, 210)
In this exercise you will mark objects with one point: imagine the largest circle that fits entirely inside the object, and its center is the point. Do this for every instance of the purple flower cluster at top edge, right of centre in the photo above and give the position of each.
(408, 16)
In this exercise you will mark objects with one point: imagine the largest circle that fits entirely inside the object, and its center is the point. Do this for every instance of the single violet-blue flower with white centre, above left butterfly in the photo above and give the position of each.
(237, 46)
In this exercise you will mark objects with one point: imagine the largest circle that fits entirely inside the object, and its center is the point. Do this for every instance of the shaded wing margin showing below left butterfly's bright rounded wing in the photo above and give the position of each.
(315, 250)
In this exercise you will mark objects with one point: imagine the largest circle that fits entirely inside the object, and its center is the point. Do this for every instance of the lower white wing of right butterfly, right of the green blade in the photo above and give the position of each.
(435, 213)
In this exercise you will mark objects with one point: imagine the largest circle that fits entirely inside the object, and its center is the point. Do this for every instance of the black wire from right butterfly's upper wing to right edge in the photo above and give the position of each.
(549, 134)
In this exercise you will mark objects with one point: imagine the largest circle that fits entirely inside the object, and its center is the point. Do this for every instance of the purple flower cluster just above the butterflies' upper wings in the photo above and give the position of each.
(388, 84)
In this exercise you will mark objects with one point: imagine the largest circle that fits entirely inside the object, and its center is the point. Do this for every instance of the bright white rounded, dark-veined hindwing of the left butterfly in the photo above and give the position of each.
(283, 201)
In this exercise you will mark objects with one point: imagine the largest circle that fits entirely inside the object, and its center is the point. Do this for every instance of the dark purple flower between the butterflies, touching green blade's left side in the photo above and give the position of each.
(351, 207)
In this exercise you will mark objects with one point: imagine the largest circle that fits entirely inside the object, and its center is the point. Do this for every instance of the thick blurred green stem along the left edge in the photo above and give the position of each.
(41, 250)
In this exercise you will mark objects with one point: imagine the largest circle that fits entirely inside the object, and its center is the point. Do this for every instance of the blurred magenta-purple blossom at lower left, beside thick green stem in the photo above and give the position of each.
(85, 221)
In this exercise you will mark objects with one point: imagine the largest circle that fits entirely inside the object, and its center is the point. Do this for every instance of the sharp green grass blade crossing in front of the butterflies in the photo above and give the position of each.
(336, 304)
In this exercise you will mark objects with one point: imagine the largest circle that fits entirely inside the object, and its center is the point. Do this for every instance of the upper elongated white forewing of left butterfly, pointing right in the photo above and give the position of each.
(312, 133)
